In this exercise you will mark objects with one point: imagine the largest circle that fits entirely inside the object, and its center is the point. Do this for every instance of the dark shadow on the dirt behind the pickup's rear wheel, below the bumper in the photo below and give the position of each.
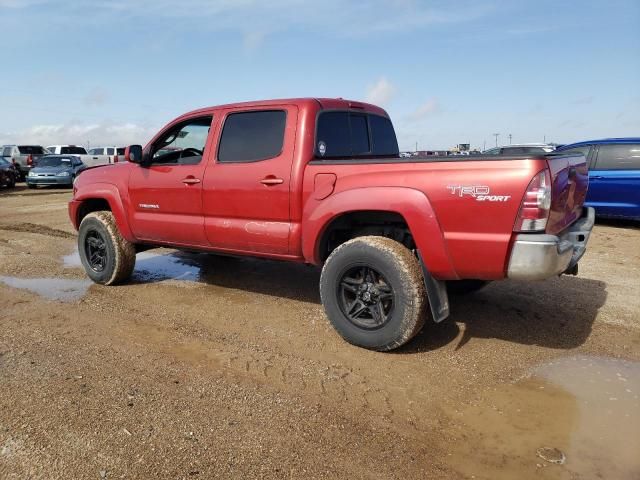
(556, 313)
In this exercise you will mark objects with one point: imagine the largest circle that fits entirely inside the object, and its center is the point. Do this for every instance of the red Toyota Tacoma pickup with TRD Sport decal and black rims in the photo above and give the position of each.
(321, 181)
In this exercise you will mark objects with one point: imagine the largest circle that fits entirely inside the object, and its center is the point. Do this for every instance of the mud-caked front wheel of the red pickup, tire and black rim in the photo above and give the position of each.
(105, 255)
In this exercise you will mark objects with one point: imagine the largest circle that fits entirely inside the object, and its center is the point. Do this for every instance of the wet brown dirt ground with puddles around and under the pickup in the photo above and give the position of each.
(212, 367)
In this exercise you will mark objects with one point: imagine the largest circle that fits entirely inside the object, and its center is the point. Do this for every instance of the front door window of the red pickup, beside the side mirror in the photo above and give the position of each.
(182, 144)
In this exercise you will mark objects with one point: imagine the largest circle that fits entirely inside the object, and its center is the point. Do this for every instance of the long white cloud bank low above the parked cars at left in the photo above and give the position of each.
(81, 134)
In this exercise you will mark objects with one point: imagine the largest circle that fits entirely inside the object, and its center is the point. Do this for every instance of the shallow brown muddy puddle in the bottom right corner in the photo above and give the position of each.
(577, 417)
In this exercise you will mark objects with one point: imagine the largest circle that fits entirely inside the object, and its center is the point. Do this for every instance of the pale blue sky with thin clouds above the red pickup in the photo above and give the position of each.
(448, 72)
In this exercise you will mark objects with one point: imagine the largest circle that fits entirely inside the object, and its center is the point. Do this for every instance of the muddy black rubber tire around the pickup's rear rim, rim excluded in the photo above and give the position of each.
(401, 271)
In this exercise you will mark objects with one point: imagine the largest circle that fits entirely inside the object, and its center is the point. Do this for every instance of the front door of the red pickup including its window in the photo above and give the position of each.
(166, 195)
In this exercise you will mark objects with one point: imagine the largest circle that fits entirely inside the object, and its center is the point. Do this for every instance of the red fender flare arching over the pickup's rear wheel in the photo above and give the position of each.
(413, 205)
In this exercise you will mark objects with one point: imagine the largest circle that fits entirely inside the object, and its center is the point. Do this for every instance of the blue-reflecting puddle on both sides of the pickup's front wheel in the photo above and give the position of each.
(153, 266)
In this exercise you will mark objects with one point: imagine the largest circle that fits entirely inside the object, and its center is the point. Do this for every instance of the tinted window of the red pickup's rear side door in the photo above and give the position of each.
(252, 136)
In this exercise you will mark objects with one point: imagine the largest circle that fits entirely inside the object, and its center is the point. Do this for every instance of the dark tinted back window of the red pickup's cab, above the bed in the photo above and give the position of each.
(347, 134)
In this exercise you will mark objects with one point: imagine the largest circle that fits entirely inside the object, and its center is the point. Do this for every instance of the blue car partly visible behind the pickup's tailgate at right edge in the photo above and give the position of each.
(614, 175)
